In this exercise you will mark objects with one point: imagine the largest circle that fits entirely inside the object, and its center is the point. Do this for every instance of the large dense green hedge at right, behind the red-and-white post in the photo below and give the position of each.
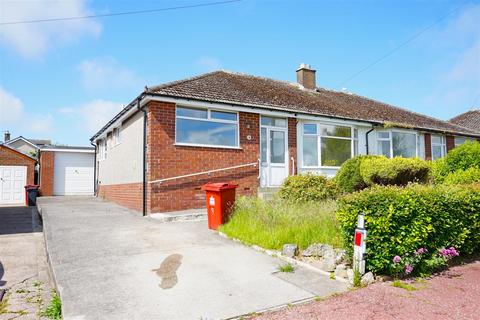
(401, 220)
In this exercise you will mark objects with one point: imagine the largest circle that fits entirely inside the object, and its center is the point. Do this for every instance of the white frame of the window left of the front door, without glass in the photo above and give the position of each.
(208, 119)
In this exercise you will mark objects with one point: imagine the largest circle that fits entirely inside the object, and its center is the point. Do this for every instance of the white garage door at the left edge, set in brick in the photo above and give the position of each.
(12, 182)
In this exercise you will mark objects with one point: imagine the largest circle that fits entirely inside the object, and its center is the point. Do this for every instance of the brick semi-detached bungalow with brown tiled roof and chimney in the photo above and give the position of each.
(155, 154)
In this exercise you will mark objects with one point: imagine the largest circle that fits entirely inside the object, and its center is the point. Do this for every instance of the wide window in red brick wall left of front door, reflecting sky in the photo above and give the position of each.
(205, 127)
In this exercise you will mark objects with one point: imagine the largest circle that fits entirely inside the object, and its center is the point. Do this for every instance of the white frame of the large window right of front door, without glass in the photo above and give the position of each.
(319, 137)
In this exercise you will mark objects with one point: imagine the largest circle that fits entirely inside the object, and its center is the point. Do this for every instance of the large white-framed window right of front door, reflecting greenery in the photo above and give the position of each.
(326, 145)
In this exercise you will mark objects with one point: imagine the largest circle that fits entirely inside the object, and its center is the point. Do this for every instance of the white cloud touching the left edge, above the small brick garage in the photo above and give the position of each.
(14, 117)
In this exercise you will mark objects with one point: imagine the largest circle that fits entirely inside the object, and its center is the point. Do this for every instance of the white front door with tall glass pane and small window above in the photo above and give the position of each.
(273, 151)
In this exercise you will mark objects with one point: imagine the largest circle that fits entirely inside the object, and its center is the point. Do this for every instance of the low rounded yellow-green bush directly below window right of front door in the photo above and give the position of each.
(308, 187)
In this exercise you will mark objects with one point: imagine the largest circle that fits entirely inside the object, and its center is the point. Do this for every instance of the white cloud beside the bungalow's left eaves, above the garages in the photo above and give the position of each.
(93, 115)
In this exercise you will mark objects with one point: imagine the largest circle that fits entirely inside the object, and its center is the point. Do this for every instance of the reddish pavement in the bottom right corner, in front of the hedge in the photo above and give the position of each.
(454, 294)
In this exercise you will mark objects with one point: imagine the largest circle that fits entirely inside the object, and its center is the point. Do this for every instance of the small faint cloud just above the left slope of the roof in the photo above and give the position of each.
(100, 74)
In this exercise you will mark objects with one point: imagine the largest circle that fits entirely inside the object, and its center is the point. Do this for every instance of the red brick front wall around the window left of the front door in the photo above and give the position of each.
(167, 160)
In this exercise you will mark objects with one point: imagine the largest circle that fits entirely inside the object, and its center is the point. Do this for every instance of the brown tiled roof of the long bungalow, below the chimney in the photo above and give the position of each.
(235, 88)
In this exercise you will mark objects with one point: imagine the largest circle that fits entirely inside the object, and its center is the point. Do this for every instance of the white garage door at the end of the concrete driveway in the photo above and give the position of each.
(73, 174)
